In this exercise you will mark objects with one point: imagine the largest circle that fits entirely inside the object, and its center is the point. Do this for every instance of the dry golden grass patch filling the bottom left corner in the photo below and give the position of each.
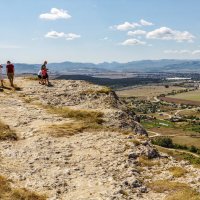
(9, 193)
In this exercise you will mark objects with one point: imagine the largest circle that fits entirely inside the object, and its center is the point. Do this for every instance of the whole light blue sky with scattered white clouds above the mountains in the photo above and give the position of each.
(98, 30)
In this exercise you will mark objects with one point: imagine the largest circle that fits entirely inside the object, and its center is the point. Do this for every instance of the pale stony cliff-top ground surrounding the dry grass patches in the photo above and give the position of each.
(99, 165)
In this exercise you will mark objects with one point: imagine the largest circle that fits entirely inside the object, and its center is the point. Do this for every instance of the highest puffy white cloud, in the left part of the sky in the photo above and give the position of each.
(55, 14)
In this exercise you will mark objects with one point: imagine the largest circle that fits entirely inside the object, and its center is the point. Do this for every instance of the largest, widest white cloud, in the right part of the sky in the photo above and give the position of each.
(165, 33)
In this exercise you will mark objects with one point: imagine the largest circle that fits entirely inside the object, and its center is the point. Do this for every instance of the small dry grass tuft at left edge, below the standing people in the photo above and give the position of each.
(6, 133)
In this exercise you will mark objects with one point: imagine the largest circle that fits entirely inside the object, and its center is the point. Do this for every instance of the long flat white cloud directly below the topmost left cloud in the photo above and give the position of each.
(56, 35)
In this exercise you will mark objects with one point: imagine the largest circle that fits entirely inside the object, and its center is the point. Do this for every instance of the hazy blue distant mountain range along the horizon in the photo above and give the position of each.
(165, 65)
